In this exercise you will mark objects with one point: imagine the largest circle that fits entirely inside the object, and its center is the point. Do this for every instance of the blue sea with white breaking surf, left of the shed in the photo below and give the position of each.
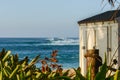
(68, 49)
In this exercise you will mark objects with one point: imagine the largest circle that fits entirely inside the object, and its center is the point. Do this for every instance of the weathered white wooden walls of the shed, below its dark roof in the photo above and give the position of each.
(106, 40)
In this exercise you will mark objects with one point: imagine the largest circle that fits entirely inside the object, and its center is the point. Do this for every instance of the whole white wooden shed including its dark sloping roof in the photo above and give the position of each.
(101, 32)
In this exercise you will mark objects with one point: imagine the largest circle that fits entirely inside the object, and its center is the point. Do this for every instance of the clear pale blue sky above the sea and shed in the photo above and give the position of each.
(46, 18)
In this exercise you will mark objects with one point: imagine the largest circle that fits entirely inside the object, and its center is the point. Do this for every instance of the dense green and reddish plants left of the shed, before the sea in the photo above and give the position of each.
(11, 68)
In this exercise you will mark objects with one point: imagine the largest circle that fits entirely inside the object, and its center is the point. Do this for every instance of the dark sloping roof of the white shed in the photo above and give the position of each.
(106, 16)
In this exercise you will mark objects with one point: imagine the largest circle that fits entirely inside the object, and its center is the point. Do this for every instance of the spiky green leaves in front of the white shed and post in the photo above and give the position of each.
(101, 75)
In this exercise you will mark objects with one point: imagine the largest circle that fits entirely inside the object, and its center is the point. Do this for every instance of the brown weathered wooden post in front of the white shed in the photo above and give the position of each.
(93, 59)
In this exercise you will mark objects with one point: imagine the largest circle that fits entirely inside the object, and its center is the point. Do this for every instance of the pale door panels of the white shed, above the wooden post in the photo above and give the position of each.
(97, 38)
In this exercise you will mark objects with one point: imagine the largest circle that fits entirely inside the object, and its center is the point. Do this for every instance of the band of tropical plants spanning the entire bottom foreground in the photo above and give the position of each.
(12, 68)
